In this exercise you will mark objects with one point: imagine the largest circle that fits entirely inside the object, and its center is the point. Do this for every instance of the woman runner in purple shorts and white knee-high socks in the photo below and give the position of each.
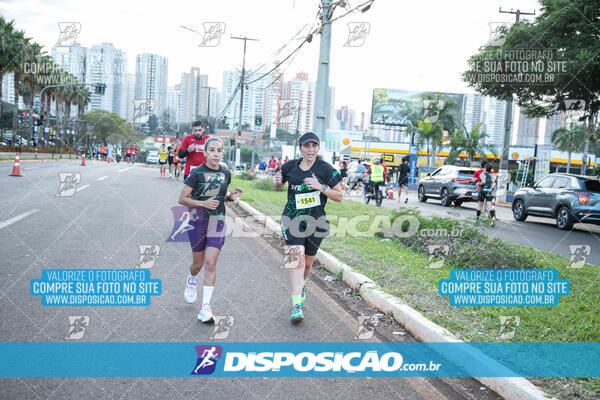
(205, 191)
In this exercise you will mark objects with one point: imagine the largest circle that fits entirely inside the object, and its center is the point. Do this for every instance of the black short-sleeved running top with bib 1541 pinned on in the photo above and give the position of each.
(294, 176)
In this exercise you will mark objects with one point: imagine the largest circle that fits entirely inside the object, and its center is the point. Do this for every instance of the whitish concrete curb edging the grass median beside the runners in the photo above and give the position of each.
(413, 321)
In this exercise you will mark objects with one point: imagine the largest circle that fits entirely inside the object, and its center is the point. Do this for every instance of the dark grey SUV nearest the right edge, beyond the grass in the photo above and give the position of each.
(569, 198)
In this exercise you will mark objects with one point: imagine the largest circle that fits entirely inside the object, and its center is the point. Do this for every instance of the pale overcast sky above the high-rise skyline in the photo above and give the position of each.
(413, 45)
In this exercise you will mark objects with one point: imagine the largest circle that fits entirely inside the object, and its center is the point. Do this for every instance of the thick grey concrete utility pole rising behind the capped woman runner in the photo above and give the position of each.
(321, 97)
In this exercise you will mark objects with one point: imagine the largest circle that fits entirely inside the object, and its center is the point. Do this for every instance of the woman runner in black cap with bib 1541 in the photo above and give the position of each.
(311, 181)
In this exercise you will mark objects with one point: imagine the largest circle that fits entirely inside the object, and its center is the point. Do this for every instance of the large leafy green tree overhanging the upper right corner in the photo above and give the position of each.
(568, 29)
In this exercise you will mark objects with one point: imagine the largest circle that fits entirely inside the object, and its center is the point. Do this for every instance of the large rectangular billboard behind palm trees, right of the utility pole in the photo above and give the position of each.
(403, 107)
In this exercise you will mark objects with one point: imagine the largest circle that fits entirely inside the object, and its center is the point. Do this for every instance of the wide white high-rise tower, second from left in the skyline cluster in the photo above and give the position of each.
(106, 65)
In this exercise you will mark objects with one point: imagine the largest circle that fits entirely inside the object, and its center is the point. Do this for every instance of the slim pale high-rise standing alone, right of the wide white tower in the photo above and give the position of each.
(151, 71)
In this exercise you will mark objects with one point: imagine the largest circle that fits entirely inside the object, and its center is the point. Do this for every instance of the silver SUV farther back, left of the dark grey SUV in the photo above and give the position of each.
(449, 184)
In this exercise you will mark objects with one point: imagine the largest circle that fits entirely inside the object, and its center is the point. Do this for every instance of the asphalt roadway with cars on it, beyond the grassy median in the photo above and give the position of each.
(540, 233)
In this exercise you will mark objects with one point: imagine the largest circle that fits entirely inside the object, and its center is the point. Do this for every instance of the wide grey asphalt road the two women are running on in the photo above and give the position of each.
(115, 210)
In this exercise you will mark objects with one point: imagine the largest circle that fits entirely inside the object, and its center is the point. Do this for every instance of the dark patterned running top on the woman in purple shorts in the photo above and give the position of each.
(207, 183)
